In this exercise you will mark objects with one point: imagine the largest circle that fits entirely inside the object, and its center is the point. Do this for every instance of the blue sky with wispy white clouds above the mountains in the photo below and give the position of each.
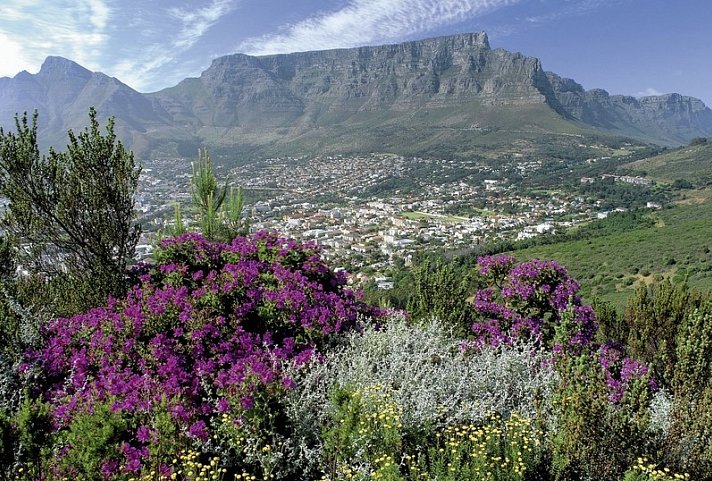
(633, 47)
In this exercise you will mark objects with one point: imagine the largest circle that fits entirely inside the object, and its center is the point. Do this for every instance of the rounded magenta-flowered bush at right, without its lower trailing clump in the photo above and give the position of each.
(526, 301)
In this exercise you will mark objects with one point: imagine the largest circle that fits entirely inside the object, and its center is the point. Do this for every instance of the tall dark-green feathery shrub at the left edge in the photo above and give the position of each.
(72, 212)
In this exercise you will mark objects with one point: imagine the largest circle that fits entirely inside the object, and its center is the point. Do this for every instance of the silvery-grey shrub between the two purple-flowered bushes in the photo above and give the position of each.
(434, 382)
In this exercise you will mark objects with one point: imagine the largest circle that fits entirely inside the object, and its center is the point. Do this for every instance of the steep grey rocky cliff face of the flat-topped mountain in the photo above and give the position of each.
(281, 90)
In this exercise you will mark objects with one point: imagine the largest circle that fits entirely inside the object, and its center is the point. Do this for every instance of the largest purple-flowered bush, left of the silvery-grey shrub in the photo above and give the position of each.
(197, 346)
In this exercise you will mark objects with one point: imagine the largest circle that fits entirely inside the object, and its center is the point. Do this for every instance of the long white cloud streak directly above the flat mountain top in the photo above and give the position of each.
(364, 22)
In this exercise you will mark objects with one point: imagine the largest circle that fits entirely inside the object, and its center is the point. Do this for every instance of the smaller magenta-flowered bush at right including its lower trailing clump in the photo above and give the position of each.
(537, 300)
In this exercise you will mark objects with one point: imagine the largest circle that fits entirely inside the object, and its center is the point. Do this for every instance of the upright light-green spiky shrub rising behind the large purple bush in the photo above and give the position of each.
(219, 208)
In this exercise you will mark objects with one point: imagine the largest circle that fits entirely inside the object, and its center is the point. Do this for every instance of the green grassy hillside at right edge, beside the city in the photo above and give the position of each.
(676, 244)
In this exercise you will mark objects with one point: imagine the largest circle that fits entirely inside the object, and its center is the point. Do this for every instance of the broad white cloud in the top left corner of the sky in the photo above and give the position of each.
(75, 29)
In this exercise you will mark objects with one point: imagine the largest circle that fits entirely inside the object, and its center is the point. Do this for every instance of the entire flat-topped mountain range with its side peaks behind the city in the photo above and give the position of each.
(453, 93)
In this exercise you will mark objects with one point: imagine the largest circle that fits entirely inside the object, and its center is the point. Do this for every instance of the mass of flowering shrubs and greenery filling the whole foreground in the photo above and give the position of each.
(246, 357)
